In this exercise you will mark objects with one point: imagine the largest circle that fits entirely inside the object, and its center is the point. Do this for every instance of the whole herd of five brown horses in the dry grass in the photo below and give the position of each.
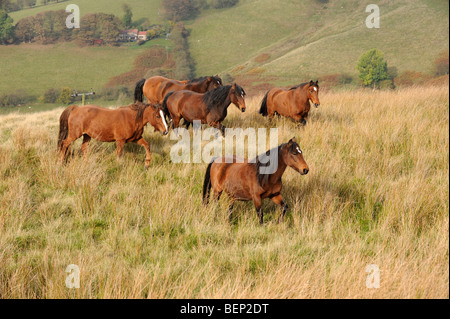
(207, 100)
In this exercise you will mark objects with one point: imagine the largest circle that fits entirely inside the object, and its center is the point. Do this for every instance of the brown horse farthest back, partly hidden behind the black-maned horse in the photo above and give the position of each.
(157, 87)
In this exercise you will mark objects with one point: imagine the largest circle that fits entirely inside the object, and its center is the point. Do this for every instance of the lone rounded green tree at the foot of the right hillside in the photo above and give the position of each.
(372, 68)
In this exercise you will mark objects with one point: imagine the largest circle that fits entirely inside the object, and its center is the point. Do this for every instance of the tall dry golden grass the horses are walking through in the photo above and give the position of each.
(377, 194)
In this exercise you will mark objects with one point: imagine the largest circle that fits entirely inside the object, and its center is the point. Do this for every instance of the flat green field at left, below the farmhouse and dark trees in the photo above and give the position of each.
(39, 67)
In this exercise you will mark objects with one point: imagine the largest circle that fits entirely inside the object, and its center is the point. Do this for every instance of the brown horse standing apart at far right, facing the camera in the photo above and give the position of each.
(293, 103)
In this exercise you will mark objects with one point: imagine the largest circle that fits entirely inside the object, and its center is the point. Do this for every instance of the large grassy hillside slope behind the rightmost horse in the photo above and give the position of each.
(309, 39)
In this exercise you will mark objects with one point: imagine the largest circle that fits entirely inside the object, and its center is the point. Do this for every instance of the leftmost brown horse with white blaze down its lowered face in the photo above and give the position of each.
(122, 125)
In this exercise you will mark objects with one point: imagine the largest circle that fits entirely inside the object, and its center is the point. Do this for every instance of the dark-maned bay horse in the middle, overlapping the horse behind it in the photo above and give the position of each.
(209, 108)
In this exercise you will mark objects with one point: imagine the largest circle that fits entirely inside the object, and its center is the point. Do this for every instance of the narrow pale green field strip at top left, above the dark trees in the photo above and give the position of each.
(142, 9)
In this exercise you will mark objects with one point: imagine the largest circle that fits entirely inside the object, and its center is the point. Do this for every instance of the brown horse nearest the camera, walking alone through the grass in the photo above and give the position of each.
(246, 181)
